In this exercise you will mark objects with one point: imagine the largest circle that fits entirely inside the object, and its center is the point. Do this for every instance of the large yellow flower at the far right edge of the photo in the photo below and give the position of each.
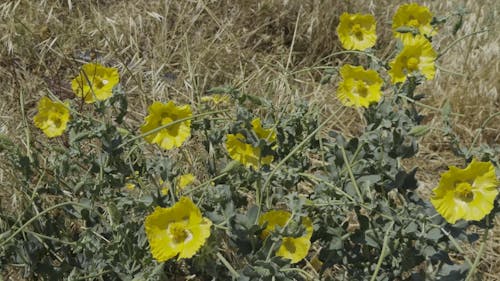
(466, 193)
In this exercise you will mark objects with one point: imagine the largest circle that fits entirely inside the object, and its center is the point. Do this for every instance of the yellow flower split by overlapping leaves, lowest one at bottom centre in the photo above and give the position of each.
(293, 248)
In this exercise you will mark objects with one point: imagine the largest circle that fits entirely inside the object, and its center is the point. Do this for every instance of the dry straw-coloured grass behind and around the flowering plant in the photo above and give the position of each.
(179, 49)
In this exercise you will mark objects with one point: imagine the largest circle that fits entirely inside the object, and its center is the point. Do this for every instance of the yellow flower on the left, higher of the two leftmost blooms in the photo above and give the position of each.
(95, 82)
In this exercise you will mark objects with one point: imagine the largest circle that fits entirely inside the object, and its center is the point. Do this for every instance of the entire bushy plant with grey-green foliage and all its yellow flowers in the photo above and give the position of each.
(115, 202)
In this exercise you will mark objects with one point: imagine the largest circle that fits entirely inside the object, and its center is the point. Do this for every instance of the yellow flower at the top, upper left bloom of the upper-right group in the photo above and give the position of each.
(357, 31)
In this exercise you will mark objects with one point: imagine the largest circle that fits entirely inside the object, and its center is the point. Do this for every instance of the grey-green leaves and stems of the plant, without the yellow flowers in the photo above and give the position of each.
(368, 216)
